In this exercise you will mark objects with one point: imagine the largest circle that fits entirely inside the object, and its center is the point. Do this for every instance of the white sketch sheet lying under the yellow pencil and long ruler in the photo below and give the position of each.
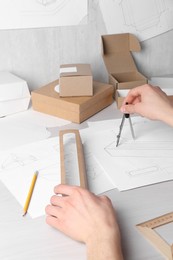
(18, 165)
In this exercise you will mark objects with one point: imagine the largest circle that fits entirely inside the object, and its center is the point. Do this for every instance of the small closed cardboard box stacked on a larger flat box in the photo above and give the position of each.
(76, 80)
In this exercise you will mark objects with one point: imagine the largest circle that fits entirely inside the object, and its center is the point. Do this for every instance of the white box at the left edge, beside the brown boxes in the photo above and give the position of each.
(14, 94)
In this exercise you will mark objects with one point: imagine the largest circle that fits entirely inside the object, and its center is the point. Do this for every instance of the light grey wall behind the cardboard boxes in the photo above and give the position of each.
(35, 54)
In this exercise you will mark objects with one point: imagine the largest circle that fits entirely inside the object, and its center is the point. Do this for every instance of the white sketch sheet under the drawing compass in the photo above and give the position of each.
(135, 163)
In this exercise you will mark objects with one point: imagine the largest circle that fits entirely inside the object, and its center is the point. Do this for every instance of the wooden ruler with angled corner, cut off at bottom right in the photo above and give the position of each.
(147, 229)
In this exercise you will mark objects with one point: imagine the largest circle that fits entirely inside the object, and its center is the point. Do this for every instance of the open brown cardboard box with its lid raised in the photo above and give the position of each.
(116, 52)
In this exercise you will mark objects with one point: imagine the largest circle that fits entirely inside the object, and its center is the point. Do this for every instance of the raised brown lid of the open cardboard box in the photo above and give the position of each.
(116, 51)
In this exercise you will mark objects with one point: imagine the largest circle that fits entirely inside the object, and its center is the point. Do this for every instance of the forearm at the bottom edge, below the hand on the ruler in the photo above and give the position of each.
(102, 248)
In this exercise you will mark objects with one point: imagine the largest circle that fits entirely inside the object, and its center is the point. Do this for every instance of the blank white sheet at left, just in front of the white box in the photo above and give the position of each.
(26, 127)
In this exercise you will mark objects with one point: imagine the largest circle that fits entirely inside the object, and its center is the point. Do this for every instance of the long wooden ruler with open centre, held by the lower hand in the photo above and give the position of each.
(80, 157)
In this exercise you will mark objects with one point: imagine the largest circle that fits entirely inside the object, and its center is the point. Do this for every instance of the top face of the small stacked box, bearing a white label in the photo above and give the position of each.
(75, 70)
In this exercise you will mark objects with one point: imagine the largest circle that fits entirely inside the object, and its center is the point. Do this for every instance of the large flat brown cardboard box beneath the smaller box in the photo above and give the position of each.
(75, 109)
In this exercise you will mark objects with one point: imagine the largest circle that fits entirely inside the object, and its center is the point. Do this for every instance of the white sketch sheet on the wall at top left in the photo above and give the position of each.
(41, 13)
